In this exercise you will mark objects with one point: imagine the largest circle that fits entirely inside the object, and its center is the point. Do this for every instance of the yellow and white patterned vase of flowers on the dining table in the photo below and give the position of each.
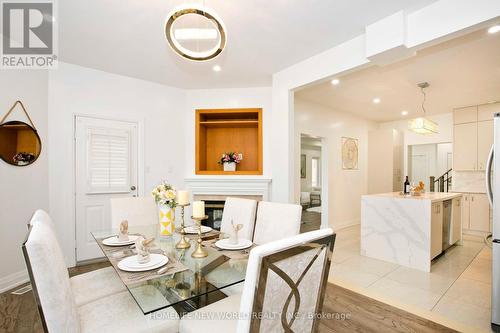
(164, 195)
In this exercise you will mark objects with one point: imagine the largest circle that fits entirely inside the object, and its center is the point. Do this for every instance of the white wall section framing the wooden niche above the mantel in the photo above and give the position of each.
(227, 99)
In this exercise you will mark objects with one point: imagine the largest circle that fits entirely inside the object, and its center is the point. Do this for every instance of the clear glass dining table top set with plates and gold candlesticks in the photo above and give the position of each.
(200, 282)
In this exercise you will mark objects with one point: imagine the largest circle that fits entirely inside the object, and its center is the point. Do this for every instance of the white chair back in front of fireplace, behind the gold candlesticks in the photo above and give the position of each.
(240, 211)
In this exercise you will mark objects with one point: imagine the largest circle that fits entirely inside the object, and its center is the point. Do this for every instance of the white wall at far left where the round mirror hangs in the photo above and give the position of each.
(22, 189)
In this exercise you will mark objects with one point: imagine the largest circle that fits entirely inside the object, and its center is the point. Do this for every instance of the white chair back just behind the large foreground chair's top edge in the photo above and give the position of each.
(275, 221)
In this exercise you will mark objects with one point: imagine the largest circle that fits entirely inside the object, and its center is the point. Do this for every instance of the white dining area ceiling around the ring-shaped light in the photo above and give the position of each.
(264, 36)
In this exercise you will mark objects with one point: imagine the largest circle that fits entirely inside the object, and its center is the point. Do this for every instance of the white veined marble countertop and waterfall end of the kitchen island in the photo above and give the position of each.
(397, 228)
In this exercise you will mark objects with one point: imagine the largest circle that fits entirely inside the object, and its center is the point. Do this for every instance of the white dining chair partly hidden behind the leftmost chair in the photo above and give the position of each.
(90, 286)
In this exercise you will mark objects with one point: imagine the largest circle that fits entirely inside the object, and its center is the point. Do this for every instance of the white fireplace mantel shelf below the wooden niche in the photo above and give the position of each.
(229, 185)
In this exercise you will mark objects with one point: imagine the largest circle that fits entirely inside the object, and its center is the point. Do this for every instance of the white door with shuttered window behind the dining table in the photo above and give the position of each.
(106, 167)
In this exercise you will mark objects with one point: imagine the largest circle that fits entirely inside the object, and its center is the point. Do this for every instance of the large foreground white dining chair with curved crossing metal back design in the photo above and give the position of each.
(284, 289)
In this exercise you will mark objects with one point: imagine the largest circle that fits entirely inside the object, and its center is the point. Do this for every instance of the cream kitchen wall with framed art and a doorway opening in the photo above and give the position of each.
(345, 187)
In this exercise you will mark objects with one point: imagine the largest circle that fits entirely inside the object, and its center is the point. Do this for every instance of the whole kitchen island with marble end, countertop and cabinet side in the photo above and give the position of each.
(410, 230)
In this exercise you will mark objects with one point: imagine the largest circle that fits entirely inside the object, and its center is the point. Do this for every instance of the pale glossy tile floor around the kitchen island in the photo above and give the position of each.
(457, 290)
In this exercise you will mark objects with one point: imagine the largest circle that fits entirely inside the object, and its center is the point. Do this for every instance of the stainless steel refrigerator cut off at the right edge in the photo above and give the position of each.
(493, 190)
